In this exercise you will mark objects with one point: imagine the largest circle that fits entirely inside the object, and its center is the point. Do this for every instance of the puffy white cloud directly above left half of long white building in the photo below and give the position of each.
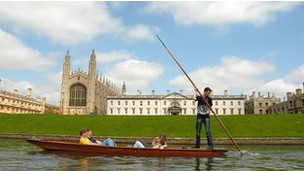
(137, 73)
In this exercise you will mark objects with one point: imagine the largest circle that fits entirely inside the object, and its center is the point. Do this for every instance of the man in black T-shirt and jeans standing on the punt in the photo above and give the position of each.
(203, 116)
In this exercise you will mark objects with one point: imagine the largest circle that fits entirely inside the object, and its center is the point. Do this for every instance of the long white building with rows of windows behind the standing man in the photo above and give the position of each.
(171, 104)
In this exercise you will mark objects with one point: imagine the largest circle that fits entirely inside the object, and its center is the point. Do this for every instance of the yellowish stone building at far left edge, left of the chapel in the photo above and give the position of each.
(13, 102)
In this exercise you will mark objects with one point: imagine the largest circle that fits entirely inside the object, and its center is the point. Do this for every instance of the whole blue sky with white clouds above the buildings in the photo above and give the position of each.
(239, 46)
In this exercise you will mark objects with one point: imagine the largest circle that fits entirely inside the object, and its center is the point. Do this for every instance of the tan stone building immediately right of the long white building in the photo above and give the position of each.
(260, 104)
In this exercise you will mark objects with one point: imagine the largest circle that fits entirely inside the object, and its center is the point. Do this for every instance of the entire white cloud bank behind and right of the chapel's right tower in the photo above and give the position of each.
(121, 65)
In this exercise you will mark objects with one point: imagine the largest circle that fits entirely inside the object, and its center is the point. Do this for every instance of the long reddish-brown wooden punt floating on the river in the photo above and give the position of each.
(121, 150)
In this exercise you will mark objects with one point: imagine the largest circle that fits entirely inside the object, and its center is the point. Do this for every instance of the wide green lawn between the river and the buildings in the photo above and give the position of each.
(283, 125)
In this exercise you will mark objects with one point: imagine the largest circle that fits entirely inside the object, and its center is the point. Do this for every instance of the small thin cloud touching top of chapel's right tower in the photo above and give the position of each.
(112, 56)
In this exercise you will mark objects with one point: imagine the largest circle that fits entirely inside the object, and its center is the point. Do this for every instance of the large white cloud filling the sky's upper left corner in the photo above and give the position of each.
(67, 22)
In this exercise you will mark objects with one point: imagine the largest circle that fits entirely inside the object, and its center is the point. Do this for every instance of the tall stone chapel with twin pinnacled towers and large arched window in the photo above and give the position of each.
(84, 93)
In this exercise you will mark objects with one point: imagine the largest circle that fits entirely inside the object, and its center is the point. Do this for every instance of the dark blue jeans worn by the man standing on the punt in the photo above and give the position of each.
(200, 120)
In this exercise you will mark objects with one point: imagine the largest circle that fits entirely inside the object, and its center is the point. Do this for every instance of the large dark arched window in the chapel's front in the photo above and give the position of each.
(78, 95)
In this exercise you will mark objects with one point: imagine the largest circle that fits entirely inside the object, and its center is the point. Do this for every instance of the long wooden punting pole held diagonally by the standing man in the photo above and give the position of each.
(195, 87)
